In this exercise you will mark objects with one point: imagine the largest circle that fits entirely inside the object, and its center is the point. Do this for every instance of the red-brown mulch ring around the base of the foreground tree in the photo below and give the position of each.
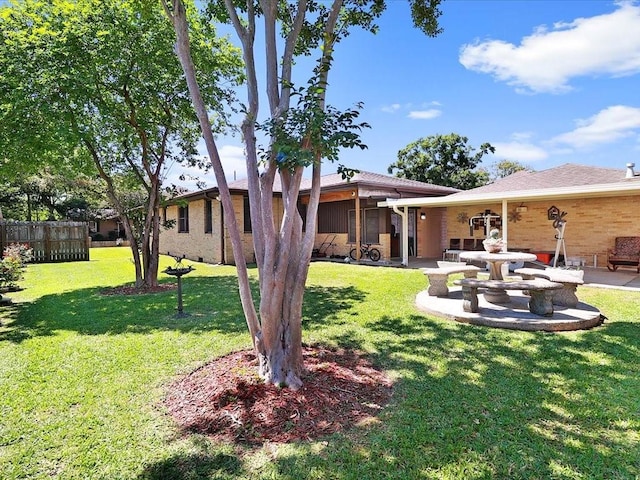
(227, 401)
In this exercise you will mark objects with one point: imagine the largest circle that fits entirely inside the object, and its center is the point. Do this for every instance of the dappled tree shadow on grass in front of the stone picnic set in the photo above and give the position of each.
(475, 402)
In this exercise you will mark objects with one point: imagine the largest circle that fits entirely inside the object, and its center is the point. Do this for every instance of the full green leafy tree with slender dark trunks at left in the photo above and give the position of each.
(97, 82)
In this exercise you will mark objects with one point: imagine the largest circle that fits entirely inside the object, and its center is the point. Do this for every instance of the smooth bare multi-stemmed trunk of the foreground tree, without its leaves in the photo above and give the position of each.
(282, 255)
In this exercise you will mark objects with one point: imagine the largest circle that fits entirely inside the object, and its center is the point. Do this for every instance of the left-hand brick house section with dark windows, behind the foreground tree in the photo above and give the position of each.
(200, 235)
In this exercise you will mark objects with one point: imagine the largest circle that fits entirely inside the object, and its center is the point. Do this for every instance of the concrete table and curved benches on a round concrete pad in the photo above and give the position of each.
(519, 301)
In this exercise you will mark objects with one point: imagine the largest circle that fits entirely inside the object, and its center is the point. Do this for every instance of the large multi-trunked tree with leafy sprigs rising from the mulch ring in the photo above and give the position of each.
(297, 137)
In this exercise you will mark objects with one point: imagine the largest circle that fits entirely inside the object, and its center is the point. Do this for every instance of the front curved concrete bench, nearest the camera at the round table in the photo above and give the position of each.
(540, 290)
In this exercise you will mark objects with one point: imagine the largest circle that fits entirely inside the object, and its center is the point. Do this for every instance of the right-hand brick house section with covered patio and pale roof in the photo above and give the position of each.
(599, 204)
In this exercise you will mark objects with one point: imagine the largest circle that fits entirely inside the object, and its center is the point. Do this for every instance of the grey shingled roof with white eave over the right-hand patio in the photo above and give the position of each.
(564, 181)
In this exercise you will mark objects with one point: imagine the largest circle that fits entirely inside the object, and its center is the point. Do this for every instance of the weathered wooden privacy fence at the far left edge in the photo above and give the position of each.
(50, 241)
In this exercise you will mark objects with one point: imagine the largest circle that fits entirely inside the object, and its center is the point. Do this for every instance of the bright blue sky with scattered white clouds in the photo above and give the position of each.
(545, 82)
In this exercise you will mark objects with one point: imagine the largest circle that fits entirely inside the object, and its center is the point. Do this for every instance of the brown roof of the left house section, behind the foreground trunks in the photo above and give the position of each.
(369, 185)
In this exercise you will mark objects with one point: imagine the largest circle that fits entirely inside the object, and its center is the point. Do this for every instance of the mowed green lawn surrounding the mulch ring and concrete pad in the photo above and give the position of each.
(82, 377)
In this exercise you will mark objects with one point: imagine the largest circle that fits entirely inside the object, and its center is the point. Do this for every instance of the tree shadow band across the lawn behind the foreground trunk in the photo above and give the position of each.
(211, 304)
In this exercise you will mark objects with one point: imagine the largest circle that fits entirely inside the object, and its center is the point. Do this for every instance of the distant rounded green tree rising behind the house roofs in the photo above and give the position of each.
(445, 160)
